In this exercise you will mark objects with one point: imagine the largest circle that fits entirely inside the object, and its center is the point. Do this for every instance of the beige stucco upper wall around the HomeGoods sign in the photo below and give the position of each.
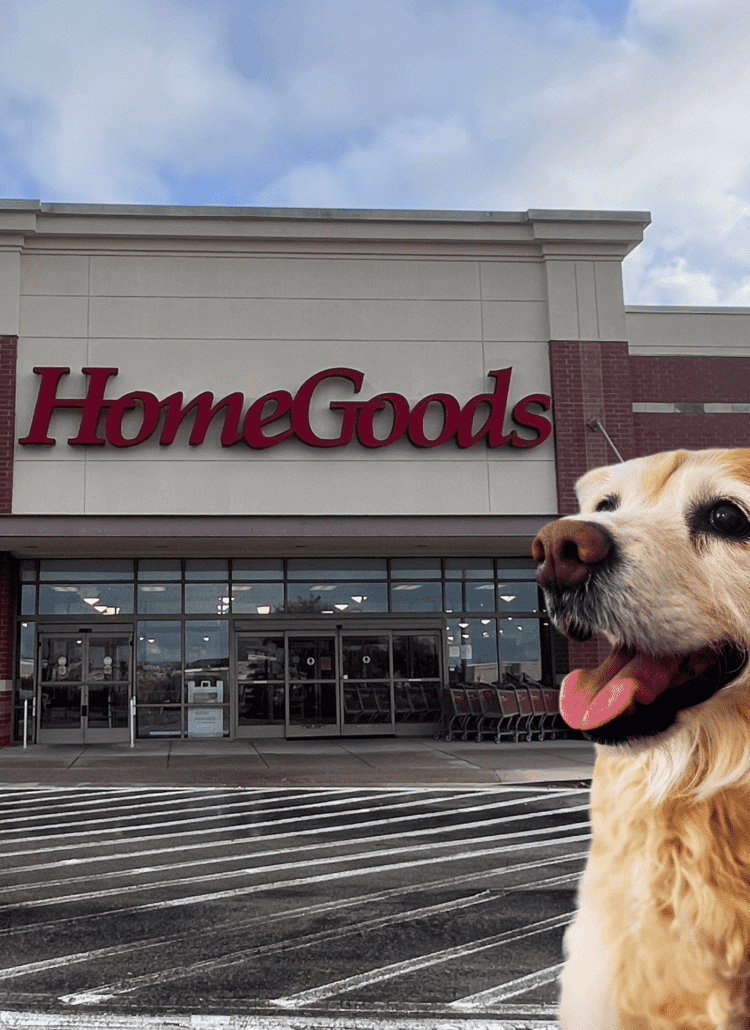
(420, 306)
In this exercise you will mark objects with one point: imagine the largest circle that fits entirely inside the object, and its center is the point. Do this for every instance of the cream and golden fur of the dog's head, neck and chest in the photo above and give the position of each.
(662, 938)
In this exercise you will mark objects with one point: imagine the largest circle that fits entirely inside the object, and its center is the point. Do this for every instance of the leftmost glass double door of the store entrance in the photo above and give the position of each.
(85, 688)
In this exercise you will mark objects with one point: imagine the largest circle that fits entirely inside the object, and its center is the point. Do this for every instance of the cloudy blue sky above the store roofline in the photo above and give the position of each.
(414, 105)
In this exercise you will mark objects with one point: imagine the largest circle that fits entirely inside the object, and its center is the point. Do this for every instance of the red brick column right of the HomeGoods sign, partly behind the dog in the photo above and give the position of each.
(591, 380)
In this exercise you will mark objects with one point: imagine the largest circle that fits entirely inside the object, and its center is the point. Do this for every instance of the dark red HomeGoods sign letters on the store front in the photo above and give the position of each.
(281, 416)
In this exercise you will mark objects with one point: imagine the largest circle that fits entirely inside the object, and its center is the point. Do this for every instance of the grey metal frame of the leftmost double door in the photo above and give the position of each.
(83, 735)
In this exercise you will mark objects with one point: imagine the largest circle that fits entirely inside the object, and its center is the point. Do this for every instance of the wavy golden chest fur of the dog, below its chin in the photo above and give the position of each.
(667, 889)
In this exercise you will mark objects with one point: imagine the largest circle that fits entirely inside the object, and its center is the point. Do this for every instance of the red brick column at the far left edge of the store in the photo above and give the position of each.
(9, 351)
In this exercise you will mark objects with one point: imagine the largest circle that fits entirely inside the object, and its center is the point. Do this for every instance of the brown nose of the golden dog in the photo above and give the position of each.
(566, 552)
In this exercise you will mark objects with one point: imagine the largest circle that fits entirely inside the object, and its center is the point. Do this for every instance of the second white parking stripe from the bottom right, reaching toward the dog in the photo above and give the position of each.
(395, 970)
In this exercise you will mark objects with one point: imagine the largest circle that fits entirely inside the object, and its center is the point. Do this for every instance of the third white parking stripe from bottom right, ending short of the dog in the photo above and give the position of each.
(109, 991)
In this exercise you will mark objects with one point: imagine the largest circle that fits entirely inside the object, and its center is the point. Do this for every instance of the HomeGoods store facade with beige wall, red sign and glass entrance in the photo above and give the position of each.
(278, 472)
